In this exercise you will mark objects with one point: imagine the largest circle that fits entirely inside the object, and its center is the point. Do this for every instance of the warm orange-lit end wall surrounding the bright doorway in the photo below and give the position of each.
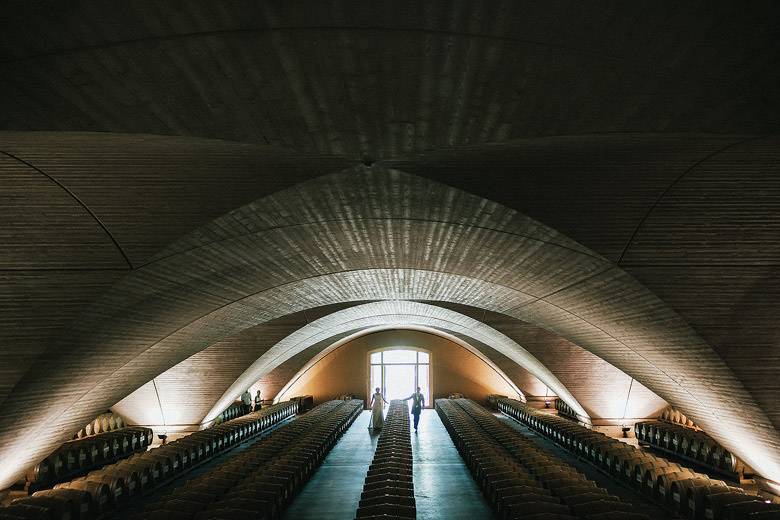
(453, 368)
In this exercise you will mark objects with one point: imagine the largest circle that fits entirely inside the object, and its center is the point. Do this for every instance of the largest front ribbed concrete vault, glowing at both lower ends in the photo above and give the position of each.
(374, 234)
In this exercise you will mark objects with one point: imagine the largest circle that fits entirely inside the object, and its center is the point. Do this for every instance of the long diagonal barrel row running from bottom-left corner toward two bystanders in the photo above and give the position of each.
(114, 485)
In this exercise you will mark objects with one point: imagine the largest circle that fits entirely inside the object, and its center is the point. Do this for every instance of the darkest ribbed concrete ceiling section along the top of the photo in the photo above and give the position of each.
(353, 78)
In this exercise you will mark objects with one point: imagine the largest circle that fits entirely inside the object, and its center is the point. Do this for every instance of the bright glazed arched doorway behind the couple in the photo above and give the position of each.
(398, 371)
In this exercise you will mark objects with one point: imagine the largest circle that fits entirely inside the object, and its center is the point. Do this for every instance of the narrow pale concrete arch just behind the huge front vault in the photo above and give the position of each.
(354, 321)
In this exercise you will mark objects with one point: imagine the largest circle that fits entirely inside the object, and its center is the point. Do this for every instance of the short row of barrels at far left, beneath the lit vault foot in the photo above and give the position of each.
(77, 457)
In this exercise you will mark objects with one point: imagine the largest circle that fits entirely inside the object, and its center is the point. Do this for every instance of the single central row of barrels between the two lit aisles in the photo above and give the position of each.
(388, 490)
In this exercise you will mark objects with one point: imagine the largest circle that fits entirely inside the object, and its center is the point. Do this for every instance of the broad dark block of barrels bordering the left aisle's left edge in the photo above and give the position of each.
(260, 481)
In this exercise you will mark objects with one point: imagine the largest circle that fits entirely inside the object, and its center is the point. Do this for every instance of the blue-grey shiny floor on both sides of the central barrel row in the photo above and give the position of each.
(443, 486)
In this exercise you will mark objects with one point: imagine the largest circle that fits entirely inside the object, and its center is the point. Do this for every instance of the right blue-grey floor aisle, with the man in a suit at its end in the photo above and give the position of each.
(443, 486)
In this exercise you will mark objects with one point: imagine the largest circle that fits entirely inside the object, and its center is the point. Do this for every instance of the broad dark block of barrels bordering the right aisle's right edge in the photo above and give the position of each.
(518, 478)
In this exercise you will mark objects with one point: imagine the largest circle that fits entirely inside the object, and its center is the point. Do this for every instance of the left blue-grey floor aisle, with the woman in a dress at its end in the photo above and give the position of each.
(334, 490)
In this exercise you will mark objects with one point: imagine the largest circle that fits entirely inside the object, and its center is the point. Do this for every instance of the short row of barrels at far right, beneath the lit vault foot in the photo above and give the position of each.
(690, 444)
